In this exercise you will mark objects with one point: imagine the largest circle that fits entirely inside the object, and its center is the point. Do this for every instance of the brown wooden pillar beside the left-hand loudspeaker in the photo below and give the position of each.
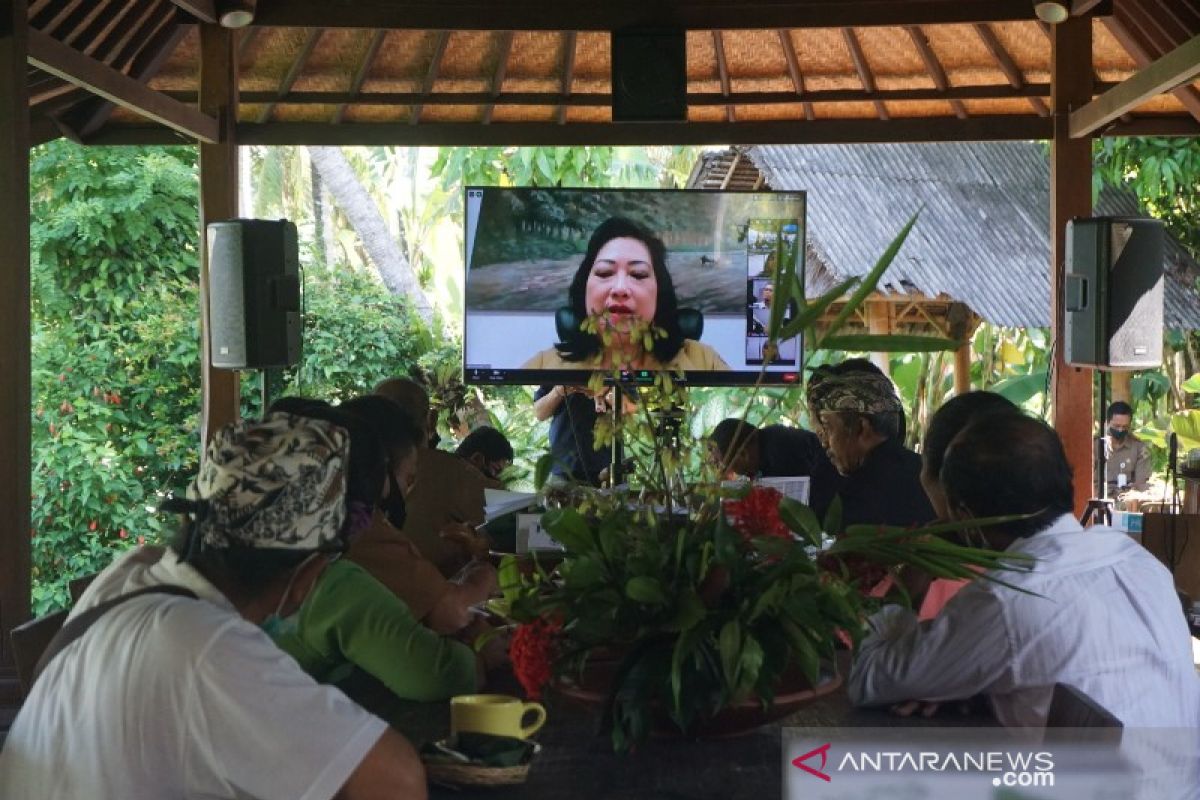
(220, 393)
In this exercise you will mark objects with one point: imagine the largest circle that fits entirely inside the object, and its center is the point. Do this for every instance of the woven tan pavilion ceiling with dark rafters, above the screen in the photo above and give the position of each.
(539, 73)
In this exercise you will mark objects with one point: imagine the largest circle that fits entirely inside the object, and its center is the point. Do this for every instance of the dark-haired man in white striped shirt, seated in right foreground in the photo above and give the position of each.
(1097, 611)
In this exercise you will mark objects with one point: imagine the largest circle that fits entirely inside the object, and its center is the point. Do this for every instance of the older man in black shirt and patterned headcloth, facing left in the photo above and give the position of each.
(856, 413)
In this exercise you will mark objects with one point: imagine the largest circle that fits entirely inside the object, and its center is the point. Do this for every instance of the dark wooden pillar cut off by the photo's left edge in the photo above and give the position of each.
(15, 332)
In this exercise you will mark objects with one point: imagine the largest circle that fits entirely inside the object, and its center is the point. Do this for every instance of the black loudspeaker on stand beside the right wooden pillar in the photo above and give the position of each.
(1114, 293)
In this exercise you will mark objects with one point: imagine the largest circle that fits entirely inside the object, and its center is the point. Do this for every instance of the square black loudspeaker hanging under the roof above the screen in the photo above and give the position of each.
(650, 76)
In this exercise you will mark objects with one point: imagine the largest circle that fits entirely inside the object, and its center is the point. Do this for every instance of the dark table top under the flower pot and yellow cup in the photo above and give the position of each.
(578, 761)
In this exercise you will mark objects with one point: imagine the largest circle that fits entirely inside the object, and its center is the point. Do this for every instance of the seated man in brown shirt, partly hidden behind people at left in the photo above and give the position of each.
(448, 494)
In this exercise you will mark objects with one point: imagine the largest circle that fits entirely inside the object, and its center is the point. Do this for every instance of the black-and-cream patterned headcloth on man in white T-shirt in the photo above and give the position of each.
(277, 484)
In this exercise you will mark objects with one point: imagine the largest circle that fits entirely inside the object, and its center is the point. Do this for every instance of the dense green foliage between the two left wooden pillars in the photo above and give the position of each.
(116, 351)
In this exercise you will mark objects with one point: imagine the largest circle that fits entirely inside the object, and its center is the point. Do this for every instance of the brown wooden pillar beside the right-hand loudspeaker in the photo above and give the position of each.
(1071, 196)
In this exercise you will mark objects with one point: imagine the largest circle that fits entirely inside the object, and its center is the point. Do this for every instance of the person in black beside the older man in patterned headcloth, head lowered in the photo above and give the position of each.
(776, 452)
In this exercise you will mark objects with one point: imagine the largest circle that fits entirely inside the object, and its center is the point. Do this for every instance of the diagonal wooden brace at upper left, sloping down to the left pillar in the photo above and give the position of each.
(71, 65)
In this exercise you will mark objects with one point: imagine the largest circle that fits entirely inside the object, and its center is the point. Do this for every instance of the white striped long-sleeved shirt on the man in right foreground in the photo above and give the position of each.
(1108, 622)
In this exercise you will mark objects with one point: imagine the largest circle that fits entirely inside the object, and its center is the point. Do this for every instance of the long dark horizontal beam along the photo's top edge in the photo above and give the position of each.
(712, 15)
